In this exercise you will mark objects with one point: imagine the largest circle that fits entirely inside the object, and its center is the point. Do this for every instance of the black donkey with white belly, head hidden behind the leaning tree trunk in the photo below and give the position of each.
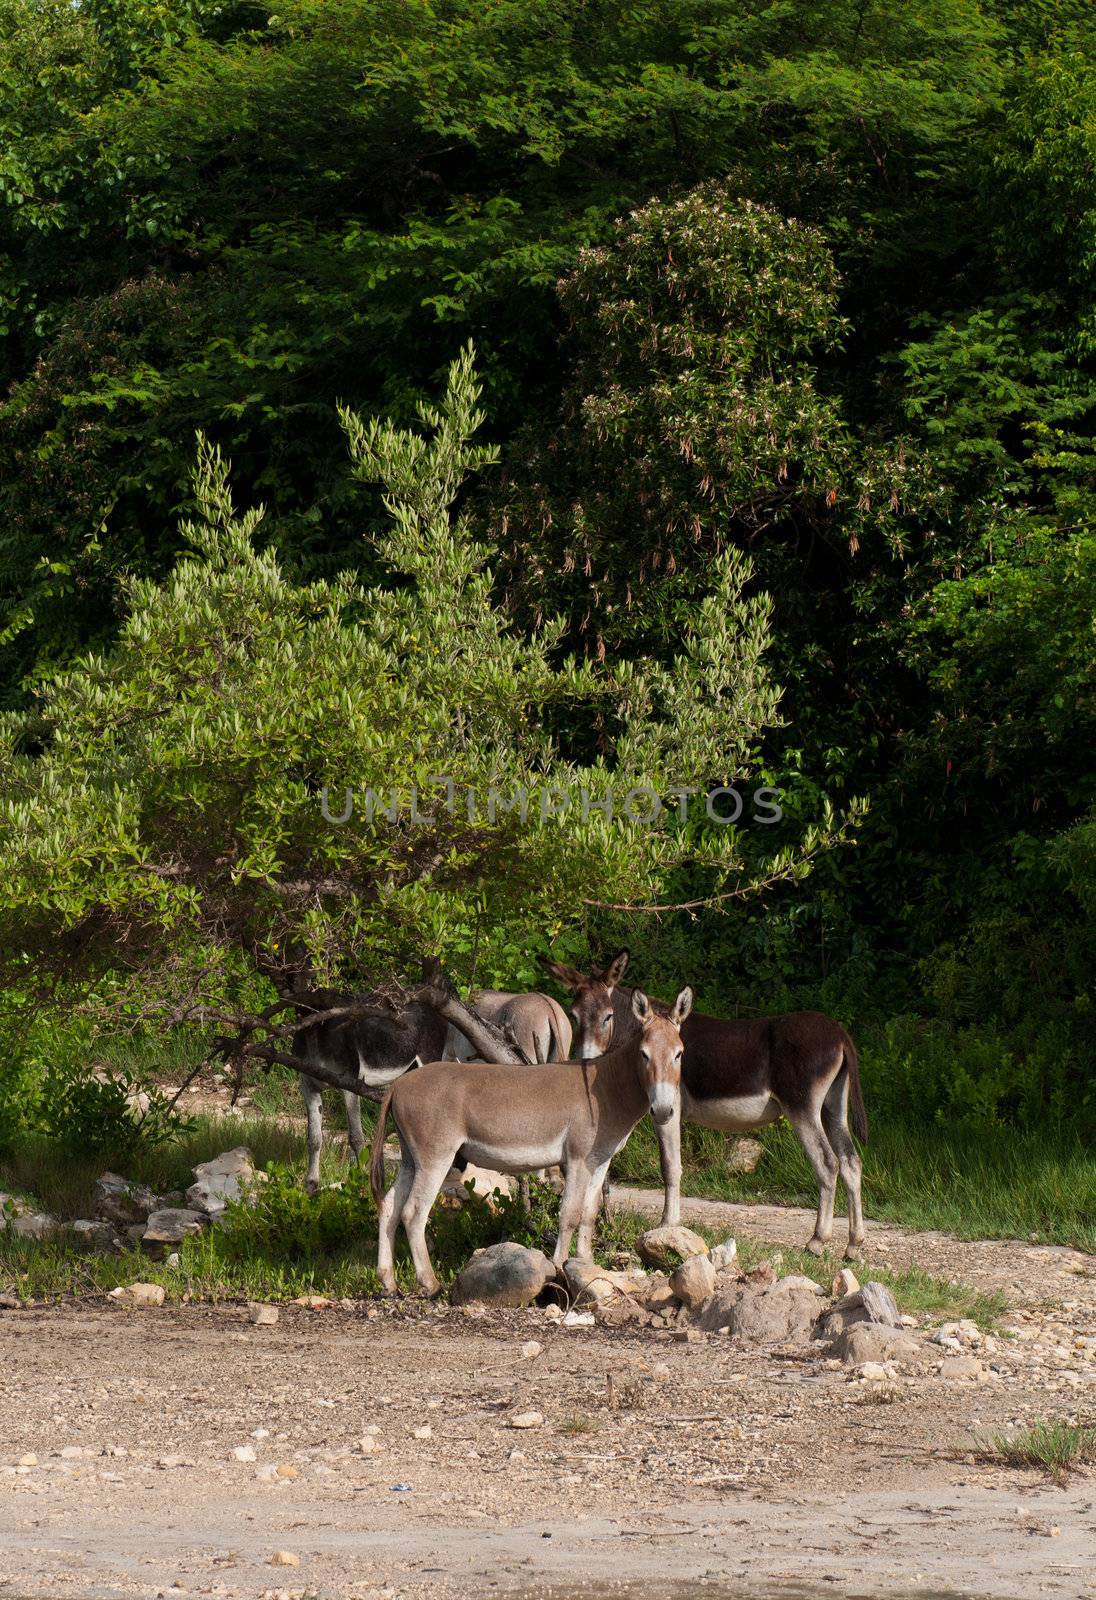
(375, 1050)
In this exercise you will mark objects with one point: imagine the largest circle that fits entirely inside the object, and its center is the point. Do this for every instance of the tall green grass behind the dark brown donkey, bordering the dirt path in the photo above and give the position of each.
(1002, 1183)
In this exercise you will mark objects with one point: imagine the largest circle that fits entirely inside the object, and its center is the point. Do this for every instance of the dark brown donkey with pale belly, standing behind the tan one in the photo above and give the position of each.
(742, 1076)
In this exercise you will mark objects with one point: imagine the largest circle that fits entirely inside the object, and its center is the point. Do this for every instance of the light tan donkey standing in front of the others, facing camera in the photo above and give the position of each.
(519, 1119)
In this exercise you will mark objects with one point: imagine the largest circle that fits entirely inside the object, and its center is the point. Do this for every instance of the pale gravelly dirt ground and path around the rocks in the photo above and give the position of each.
(382, 1458)
